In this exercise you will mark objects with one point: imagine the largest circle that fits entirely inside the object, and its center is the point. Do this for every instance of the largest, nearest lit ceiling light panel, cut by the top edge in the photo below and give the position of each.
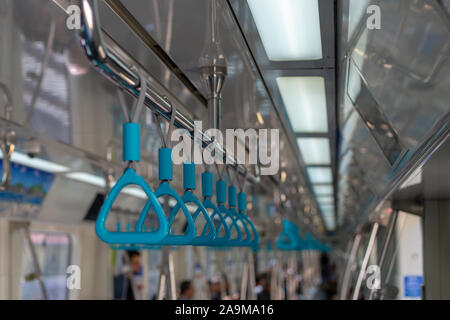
(289, 29)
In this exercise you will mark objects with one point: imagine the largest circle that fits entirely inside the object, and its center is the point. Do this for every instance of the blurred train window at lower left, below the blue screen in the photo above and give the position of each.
(53, 252)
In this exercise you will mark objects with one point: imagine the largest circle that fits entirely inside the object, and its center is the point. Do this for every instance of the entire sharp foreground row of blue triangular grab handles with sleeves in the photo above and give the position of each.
(232, 219)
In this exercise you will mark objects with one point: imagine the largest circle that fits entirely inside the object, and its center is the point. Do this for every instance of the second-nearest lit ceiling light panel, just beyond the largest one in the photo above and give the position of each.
(305, 101)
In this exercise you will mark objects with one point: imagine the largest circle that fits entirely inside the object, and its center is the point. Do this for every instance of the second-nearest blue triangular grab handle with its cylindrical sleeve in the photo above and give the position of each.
(164, 189)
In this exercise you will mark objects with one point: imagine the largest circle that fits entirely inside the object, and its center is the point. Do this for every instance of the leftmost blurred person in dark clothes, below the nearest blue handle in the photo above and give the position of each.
(128, 285)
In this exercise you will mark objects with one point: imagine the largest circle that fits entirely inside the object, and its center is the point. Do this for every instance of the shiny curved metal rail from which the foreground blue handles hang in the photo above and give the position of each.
(117, 65)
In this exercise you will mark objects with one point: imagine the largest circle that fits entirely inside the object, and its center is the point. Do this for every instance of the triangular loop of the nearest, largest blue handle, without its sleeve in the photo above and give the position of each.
(131, 178)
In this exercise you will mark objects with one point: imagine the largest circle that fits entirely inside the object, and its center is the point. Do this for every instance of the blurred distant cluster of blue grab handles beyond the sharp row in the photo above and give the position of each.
(290, 239)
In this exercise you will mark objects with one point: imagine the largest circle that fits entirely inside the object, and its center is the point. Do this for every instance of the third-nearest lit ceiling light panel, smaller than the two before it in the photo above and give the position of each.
(315, 151)
